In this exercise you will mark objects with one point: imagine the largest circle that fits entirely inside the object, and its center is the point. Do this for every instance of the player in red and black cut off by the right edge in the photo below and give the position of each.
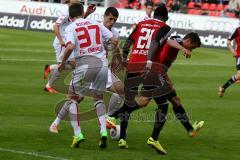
(236, 53)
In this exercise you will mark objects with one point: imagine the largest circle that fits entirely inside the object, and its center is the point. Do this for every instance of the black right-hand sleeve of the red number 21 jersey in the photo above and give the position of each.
(163, 34)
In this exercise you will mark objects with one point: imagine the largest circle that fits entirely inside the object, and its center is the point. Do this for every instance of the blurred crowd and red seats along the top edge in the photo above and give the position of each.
(221, 8)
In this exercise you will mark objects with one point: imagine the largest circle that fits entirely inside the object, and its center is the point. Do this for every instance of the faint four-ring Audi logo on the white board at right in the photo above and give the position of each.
(217, 25)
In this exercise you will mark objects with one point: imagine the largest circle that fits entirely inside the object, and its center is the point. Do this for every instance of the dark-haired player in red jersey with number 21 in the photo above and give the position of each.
(141, 39)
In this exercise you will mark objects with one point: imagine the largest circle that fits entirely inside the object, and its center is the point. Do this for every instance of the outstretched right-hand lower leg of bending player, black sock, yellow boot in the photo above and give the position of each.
(182, 116)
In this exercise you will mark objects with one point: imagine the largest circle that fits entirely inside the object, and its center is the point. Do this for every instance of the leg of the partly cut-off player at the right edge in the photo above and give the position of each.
(231, 81)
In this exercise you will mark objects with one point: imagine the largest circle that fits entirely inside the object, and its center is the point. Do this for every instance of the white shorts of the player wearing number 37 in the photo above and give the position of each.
(89, 78)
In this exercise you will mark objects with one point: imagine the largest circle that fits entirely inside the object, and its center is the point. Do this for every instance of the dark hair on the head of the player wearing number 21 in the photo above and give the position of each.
(161, 12)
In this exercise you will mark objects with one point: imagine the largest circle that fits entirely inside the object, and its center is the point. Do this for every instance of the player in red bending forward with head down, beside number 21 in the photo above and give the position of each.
(167, 56)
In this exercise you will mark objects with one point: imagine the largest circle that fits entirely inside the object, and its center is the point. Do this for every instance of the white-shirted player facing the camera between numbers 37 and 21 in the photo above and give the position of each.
(114, 83)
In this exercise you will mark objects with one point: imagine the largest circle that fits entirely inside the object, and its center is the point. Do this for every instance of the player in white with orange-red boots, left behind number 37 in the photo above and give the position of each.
(59, 45)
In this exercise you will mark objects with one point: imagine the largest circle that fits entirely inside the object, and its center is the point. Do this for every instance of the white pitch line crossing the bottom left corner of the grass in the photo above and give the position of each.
(31, 154)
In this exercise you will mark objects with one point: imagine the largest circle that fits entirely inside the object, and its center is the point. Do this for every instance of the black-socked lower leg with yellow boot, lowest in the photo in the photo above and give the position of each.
(160, 119)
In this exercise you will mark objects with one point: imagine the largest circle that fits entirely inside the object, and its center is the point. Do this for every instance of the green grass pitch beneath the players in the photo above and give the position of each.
(26, 111)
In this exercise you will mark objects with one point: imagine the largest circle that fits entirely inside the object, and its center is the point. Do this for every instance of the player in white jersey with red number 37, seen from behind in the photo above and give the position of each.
(85, 40)
